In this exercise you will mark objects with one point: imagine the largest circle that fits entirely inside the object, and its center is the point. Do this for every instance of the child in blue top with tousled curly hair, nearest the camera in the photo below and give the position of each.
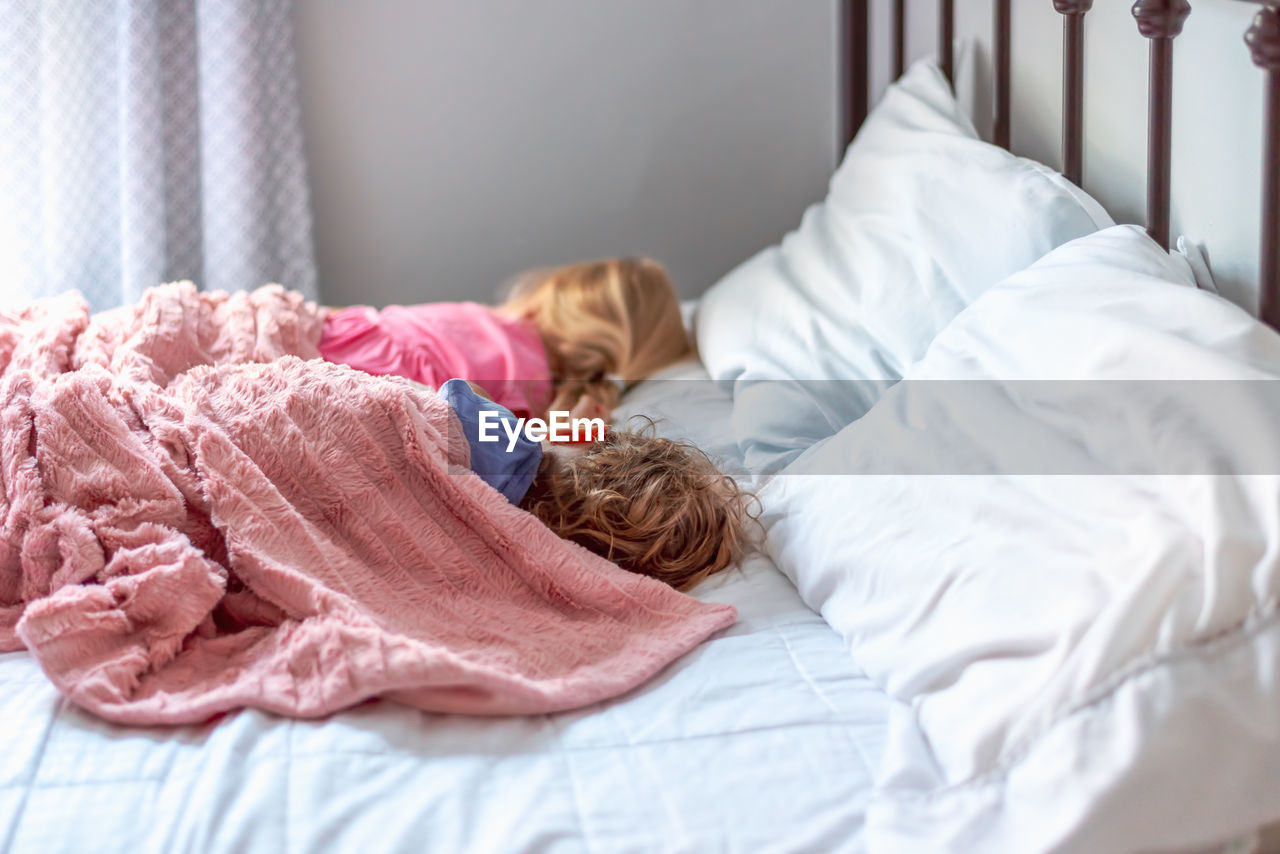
(650, 505)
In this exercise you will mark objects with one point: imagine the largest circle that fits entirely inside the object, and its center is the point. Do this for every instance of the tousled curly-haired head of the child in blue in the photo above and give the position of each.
(652, 506)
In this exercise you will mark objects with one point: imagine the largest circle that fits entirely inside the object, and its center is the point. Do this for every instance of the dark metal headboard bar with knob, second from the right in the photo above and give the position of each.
(1160, 21)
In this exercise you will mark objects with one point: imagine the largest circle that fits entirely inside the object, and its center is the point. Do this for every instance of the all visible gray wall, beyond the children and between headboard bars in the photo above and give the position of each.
(455, 143)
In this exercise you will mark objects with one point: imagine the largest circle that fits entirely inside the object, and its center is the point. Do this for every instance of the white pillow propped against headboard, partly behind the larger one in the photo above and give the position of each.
(921, 218)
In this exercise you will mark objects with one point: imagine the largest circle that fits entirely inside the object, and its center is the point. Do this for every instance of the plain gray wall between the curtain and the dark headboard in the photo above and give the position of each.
(456, 143)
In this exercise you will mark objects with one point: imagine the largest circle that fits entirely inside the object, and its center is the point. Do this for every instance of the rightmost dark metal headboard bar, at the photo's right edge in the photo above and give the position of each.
(1264, 40)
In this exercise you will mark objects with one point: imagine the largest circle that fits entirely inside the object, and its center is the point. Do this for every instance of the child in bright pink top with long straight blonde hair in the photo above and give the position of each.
(565, 340)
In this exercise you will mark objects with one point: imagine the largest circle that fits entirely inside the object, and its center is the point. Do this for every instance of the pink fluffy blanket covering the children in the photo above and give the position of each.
(194, 520)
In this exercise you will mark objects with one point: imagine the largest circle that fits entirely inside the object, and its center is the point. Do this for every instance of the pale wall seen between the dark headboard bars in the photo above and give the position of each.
(1218, 115)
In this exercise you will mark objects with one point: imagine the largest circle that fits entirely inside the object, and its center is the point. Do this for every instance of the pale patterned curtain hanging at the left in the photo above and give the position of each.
(144, 141)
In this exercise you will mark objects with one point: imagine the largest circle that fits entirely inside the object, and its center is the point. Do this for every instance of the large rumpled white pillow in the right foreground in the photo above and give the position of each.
(1081, 625)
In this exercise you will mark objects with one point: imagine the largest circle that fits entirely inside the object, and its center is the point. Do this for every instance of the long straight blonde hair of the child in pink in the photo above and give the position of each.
(600, 321)
